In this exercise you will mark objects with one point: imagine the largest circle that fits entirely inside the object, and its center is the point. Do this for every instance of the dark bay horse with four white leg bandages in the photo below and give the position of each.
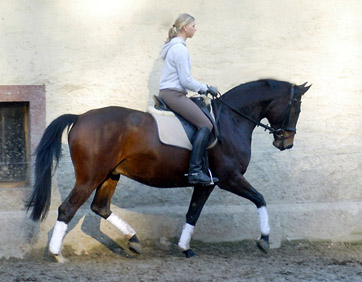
(112, 141)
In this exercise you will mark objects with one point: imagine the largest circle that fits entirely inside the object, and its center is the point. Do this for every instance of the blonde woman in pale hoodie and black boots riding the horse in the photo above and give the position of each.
(175, 82)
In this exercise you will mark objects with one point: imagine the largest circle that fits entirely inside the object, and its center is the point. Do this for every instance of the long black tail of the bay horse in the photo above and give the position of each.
(49, 148)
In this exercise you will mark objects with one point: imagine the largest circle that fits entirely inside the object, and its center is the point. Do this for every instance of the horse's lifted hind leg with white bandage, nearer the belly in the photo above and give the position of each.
(101, 206)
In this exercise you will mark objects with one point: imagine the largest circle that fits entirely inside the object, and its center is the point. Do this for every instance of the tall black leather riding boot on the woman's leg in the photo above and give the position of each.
(196, 174)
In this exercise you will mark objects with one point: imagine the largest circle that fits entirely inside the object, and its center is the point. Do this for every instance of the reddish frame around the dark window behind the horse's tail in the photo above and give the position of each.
(35, 96)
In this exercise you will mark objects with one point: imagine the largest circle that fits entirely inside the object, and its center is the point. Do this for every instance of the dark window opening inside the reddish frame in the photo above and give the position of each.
(14, 147)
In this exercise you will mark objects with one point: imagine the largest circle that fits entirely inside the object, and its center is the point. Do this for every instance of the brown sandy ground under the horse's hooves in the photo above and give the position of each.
(237, 261)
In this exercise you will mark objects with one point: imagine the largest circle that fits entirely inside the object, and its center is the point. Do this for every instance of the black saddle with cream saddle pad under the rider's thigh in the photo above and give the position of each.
(174, 130)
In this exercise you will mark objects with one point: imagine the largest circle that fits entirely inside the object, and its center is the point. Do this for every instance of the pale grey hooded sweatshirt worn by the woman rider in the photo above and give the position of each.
(176, 68)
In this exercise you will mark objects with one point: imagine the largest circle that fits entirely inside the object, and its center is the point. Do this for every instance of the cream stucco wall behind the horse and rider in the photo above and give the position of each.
(92, 53)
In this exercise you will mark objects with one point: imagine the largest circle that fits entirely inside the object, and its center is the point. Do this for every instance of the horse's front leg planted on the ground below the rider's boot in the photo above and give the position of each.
(198, 200)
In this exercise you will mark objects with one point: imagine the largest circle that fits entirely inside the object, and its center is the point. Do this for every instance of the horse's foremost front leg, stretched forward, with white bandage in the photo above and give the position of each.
(241, 187)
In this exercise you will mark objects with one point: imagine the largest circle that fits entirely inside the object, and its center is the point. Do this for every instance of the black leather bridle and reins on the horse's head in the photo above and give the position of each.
(278, 133)
